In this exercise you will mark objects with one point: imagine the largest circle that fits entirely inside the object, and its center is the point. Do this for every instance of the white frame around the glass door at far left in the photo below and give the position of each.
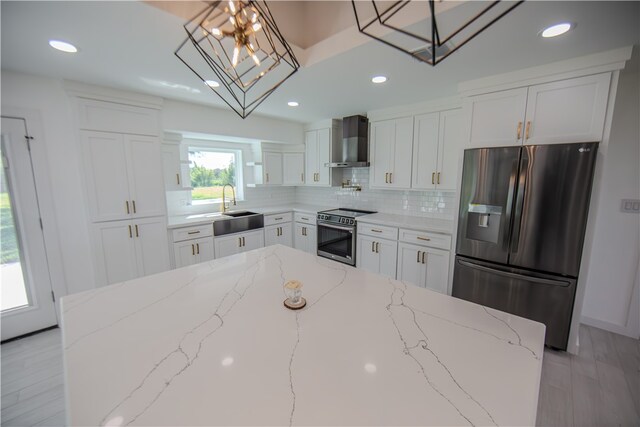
(46, 204)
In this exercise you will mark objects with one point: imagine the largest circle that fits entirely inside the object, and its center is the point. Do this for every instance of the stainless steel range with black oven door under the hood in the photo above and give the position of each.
(337, 234)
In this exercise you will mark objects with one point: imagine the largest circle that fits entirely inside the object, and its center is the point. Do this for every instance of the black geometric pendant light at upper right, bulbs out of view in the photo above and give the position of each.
(445, 26)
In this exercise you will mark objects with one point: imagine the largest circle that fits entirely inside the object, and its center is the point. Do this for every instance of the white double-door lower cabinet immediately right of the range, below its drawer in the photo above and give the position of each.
(377, 255)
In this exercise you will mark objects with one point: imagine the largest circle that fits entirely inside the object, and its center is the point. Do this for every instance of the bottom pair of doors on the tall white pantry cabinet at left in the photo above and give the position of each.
(129, 249)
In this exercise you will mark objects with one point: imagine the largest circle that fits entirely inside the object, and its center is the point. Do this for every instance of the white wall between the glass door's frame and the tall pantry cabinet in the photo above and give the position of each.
(48, 97)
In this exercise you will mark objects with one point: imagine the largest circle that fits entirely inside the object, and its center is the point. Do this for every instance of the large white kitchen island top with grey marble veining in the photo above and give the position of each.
(212, 344)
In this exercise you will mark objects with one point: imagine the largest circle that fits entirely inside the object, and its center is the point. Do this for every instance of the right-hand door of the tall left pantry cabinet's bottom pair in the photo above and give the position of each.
(152, 247)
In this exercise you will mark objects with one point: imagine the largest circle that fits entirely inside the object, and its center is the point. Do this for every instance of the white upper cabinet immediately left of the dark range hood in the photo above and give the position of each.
(320, 145)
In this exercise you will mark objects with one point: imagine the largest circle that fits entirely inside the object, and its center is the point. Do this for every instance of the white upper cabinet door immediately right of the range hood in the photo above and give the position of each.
(382, 139)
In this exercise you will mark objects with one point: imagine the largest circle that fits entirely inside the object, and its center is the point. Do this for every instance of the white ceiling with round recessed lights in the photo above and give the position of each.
(130, 45)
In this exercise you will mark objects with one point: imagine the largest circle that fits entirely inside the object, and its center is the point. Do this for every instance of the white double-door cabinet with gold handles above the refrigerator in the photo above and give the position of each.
(571, 110)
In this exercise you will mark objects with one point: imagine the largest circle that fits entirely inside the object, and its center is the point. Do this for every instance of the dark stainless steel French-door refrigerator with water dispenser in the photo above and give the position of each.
(523, 214)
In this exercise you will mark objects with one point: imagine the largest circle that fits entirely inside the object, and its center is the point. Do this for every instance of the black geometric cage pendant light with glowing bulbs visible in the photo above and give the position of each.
(237, 50)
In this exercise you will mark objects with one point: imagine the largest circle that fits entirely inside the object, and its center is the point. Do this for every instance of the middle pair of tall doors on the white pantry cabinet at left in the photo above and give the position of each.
(123, 175)
